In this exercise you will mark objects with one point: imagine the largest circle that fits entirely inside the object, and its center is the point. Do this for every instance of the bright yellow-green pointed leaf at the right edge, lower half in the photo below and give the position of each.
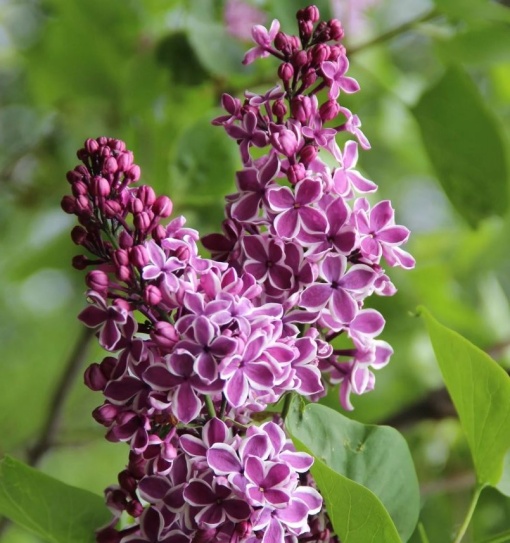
(480, 390)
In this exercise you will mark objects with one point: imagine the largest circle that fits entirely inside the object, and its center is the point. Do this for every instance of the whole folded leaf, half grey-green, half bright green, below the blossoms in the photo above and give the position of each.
(375, 457)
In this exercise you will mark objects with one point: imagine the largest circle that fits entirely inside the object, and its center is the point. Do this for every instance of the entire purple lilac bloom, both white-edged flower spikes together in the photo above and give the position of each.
(199, 348)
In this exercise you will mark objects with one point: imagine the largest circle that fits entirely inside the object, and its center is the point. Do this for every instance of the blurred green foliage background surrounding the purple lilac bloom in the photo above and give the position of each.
(152, 73)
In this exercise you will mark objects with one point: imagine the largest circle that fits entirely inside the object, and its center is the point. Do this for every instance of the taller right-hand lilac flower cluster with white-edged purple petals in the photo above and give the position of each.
(299, 222)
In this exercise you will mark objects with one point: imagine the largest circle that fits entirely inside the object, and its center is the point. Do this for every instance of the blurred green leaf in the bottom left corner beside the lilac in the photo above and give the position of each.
(56, 512)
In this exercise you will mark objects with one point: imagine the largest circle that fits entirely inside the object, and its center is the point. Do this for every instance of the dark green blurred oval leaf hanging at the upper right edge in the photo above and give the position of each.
(465, 145)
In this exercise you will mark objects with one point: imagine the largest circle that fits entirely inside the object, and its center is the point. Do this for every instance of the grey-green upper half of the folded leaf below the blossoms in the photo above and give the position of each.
(376, 457)
